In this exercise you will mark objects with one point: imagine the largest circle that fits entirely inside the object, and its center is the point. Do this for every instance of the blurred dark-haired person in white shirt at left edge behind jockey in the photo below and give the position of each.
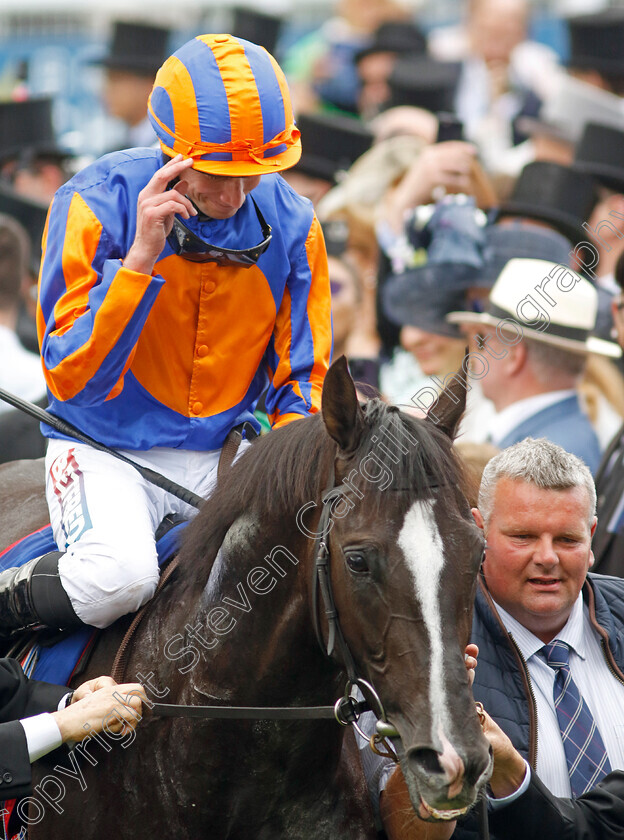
(20, 371)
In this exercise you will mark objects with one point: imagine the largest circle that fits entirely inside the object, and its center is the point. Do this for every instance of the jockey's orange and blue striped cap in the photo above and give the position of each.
(225, 102)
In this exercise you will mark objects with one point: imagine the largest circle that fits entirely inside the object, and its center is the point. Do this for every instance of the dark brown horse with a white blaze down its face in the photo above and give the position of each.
(370, 496)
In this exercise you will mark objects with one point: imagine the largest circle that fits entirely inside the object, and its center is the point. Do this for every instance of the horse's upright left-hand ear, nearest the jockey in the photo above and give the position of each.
(341, 411)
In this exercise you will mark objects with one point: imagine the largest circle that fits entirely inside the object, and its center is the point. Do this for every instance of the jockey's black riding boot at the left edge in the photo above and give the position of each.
(32, 595)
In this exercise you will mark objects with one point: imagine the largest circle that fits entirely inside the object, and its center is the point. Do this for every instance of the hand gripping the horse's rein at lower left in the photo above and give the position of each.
(115, 708)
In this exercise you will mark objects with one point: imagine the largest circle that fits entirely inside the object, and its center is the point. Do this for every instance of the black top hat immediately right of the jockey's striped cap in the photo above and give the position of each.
(330, 143)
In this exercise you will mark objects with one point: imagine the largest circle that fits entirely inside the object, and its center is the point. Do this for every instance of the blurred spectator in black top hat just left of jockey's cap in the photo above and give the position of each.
(136, 52)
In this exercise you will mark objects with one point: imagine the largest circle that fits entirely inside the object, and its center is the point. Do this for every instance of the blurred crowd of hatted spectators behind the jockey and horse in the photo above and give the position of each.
(469, 179)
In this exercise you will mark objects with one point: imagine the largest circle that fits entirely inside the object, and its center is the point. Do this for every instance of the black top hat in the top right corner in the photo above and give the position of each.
(597, 41)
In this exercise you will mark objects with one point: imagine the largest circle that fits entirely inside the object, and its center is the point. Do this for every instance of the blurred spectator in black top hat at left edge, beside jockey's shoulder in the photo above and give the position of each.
(31, 161)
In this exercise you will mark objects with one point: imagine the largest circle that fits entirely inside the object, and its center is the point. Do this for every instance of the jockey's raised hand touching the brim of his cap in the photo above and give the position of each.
(156, 207)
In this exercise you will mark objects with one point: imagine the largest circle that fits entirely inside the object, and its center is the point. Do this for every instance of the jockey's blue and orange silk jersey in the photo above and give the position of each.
(179, 357)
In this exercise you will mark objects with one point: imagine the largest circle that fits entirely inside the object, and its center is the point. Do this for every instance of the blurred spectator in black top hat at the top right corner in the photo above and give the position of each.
(597, 49)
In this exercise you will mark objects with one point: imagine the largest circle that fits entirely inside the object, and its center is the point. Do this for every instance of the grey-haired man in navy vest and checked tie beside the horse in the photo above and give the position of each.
(536, 508)
